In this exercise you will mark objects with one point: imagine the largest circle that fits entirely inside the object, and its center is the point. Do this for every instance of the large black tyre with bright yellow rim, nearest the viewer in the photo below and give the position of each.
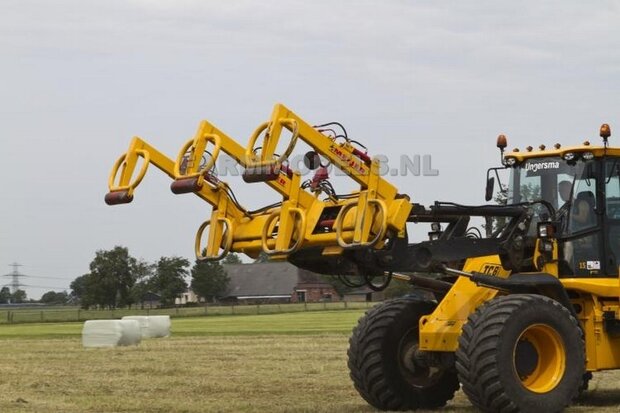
(521, 353)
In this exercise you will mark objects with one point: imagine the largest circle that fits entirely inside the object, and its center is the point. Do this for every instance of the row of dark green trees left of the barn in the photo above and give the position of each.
(116, 279)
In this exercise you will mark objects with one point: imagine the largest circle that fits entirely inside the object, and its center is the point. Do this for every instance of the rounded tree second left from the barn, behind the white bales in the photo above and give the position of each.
(169, 278)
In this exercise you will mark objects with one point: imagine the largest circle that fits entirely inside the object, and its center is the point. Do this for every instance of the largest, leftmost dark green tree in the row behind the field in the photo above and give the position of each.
(109, 283)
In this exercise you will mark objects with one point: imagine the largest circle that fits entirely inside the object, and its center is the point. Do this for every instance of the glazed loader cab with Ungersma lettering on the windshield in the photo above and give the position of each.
(584, 191)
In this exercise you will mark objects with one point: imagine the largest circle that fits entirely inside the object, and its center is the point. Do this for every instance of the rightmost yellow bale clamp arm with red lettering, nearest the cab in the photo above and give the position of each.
(376, 209)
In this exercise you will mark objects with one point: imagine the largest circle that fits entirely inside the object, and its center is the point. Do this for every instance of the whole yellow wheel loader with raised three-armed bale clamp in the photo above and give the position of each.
(518, 317)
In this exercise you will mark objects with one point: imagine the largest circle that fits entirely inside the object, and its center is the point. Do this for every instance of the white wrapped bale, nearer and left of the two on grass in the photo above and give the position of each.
(111, 333)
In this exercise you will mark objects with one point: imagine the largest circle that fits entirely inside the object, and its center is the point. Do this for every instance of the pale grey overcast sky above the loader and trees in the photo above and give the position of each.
(79, 78)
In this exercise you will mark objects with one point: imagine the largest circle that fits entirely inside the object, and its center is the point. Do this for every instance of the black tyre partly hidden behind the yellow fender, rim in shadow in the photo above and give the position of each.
(381, 359)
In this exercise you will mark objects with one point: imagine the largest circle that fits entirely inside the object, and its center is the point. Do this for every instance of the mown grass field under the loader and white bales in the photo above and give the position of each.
(265, 363)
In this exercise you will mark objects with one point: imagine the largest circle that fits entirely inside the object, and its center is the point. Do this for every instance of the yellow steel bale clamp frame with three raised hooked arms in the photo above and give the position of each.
(364, 219)
